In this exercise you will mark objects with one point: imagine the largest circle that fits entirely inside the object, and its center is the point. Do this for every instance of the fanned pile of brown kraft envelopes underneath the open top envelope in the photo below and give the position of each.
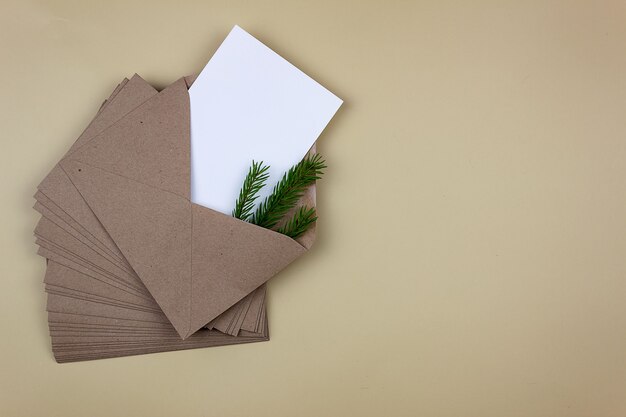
(90, 315)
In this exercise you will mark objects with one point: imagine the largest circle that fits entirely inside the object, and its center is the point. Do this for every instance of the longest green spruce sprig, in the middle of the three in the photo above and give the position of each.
(288, 191)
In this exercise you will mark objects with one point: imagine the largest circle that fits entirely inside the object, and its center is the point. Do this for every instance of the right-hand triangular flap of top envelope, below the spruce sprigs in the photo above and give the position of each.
(230, 259)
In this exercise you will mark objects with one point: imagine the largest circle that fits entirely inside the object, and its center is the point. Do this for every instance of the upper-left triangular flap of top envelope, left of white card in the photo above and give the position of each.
(150, 144)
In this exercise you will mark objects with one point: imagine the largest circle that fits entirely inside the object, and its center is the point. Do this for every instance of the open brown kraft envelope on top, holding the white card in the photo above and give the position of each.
(195, 262)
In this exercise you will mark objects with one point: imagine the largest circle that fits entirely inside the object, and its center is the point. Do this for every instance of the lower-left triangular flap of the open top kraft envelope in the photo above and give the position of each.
(151, 227)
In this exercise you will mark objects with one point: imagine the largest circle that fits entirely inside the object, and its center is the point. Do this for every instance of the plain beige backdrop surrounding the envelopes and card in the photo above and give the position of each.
(471, 253)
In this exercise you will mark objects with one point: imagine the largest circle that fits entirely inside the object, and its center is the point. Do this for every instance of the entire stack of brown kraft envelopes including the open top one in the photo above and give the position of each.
(133, 266)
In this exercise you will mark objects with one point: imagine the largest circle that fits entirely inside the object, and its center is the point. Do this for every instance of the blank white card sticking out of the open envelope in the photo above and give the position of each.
(248, 103)
